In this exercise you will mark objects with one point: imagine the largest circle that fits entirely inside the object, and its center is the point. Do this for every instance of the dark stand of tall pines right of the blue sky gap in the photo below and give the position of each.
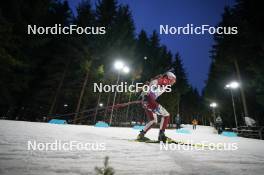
(236, 56)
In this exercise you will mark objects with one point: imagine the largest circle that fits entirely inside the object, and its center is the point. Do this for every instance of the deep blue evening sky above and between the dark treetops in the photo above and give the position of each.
(194, 49)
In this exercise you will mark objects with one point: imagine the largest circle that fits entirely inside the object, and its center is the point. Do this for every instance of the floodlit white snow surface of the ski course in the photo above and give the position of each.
(126, 157)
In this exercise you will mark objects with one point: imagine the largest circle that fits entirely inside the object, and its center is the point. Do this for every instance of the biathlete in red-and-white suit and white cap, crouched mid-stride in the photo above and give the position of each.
(153, 109)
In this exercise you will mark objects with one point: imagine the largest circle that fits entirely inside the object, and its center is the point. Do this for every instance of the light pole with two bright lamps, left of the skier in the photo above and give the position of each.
(119, 66)
